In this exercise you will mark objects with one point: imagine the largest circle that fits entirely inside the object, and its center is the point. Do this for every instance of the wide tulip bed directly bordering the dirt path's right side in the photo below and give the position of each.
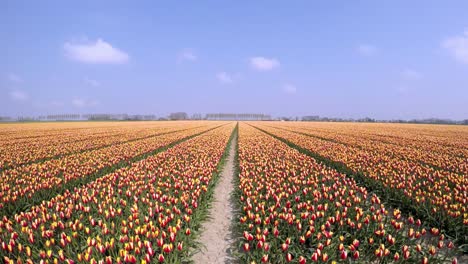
(296, 210)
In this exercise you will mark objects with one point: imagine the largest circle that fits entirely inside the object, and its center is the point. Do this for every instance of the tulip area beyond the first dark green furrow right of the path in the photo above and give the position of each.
(430, 180)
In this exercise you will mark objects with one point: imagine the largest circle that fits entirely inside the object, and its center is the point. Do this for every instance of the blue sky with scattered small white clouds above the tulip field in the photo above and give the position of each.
(383, 59)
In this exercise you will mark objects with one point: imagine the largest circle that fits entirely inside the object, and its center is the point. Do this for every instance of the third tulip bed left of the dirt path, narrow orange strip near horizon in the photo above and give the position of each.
(16, 152)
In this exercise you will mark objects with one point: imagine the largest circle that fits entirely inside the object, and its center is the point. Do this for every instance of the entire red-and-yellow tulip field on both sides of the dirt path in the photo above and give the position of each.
(137, 192)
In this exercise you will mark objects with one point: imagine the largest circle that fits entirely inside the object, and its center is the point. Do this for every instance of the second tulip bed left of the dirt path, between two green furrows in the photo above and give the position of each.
(27, 185)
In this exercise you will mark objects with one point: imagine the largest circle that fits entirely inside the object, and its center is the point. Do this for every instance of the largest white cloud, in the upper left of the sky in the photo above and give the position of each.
(95, 52)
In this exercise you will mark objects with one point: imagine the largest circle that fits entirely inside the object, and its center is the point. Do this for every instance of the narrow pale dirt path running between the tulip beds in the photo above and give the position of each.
(216, 233)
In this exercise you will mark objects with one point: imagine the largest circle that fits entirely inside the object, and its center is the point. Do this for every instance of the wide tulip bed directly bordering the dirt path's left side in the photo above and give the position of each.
(143, 213)
